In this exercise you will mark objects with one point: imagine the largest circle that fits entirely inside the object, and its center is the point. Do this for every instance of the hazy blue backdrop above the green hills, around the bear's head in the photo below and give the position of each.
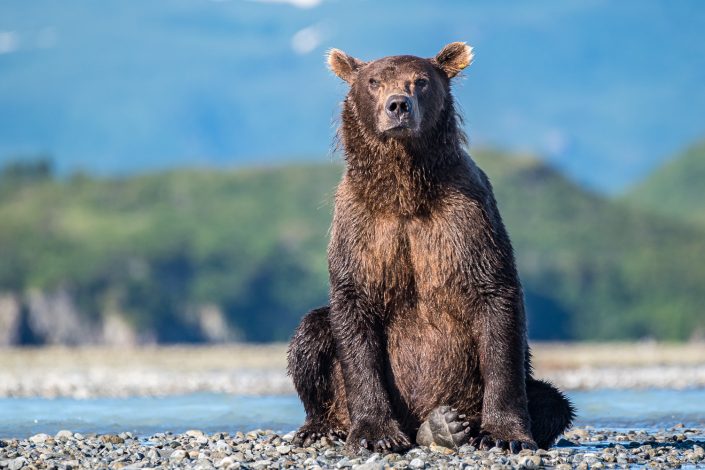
(605, 90)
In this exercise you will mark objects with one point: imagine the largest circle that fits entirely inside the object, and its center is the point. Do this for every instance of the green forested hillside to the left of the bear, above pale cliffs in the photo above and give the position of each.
(154, 246)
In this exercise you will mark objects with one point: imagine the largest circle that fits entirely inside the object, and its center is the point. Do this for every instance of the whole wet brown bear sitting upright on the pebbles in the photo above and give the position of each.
(425, 334)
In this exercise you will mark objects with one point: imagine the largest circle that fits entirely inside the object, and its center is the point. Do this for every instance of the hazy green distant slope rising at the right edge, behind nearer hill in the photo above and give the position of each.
(677, 189)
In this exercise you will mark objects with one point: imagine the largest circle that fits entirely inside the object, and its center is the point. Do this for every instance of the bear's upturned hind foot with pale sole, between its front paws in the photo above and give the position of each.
(445, 427)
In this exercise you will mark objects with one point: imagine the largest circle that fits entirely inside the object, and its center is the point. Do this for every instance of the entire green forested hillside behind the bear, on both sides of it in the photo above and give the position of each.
(252, 243)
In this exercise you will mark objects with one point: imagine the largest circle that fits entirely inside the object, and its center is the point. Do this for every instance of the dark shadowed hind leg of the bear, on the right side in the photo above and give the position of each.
(551, 412)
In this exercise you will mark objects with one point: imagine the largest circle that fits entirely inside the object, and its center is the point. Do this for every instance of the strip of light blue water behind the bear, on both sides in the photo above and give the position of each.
(22, 417)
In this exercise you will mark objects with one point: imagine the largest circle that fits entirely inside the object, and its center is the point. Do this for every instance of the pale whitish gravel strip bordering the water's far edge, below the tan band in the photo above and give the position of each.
(122, 382)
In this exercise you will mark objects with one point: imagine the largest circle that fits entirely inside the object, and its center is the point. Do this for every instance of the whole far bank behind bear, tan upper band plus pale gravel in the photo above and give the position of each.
(90, 372)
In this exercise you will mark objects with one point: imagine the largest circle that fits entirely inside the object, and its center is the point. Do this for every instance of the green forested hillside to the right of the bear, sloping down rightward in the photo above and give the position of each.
(601, 269)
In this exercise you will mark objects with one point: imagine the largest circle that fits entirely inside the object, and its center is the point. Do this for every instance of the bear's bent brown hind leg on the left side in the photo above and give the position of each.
(311, 363)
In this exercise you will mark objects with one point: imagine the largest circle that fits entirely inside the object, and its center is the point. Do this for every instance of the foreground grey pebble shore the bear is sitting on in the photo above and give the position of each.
(582, 448)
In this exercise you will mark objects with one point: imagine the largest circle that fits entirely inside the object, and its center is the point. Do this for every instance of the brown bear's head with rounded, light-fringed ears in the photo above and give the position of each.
(403, 96)
